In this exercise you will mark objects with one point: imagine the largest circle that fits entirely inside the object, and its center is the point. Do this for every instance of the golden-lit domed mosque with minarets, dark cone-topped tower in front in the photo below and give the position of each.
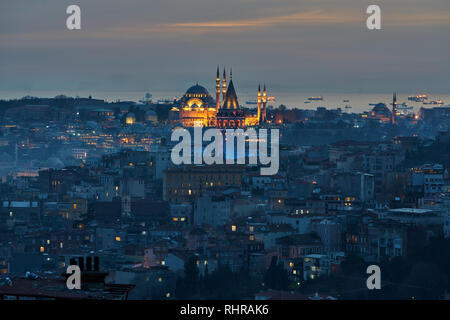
(197, 106)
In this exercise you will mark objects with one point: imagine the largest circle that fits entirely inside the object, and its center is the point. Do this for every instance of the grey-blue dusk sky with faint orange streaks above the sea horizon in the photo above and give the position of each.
(167, 45)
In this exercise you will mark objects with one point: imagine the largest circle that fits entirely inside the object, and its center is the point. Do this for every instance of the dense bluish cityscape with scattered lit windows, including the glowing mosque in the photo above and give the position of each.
(83, 177)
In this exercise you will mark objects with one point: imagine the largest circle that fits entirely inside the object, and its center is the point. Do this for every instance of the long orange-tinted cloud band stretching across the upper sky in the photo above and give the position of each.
(309, 18)
